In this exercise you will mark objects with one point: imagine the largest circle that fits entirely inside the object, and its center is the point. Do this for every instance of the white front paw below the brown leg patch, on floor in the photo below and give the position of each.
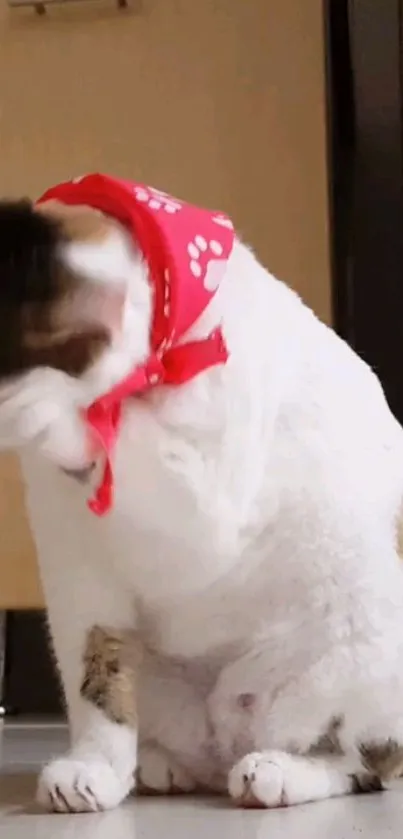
(69, 785)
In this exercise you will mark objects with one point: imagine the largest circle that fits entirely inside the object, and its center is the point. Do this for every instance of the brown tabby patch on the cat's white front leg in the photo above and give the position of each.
(110, 673)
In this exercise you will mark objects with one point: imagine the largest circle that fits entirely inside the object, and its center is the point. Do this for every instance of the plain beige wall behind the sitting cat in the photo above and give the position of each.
(221, 101)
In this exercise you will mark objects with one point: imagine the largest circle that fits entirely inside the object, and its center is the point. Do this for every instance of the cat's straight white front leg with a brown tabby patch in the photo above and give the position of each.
(89, 618)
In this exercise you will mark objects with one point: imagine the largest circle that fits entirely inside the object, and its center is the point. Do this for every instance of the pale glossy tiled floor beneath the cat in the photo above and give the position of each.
(25, 747)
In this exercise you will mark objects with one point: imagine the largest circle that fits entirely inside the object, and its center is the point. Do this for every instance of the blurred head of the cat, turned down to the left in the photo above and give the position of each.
(75, 309)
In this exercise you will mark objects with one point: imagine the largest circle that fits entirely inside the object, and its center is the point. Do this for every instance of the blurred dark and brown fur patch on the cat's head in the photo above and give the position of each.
(49, 316)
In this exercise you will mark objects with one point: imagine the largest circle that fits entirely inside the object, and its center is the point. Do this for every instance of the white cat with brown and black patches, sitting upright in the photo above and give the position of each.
(235, 622)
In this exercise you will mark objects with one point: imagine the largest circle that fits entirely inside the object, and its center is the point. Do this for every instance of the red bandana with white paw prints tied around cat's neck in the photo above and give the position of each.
(186, 249)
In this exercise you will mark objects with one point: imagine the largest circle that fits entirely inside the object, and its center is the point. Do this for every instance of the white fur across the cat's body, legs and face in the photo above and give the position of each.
(253, 545)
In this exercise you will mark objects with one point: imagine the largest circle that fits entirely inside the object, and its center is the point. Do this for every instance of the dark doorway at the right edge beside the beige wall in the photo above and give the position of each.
(364, 50)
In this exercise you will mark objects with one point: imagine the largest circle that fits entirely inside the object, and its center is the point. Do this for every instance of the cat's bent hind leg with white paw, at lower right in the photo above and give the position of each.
(279, 732)
